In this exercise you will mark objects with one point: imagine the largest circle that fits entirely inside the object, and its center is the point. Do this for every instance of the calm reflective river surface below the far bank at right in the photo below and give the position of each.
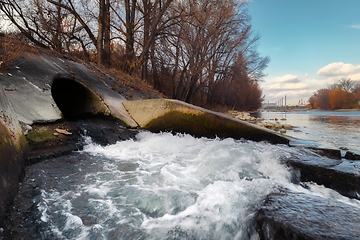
(329, 129)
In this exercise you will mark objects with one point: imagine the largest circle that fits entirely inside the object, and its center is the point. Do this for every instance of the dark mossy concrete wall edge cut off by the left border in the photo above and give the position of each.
(13, 154)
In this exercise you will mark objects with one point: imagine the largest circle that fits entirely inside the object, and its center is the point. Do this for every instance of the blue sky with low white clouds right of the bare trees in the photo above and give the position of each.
(311, 44)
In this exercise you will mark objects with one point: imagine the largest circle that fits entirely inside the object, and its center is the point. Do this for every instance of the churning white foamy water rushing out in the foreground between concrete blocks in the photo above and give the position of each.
(162, 186)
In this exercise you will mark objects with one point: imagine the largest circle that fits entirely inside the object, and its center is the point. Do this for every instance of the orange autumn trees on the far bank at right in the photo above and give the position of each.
(342, 95)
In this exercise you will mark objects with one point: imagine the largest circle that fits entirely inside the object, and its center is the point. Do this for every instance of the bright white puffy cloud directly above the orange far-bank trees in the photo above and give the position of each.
(339, 69)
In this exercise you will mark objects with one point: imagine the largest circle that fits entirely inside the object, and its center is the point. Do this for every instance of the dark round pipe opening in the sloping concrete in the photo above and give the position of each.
(75, 99)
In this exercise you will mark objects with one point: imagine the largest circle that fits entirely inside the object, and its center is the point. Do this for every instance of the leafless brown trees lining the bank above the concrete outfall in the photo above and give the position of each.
(202, 52)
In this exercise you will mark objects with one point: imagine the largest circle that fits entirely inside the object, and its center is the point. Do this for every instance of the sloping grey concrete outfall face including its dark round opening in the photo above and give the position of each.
(28, 87)
